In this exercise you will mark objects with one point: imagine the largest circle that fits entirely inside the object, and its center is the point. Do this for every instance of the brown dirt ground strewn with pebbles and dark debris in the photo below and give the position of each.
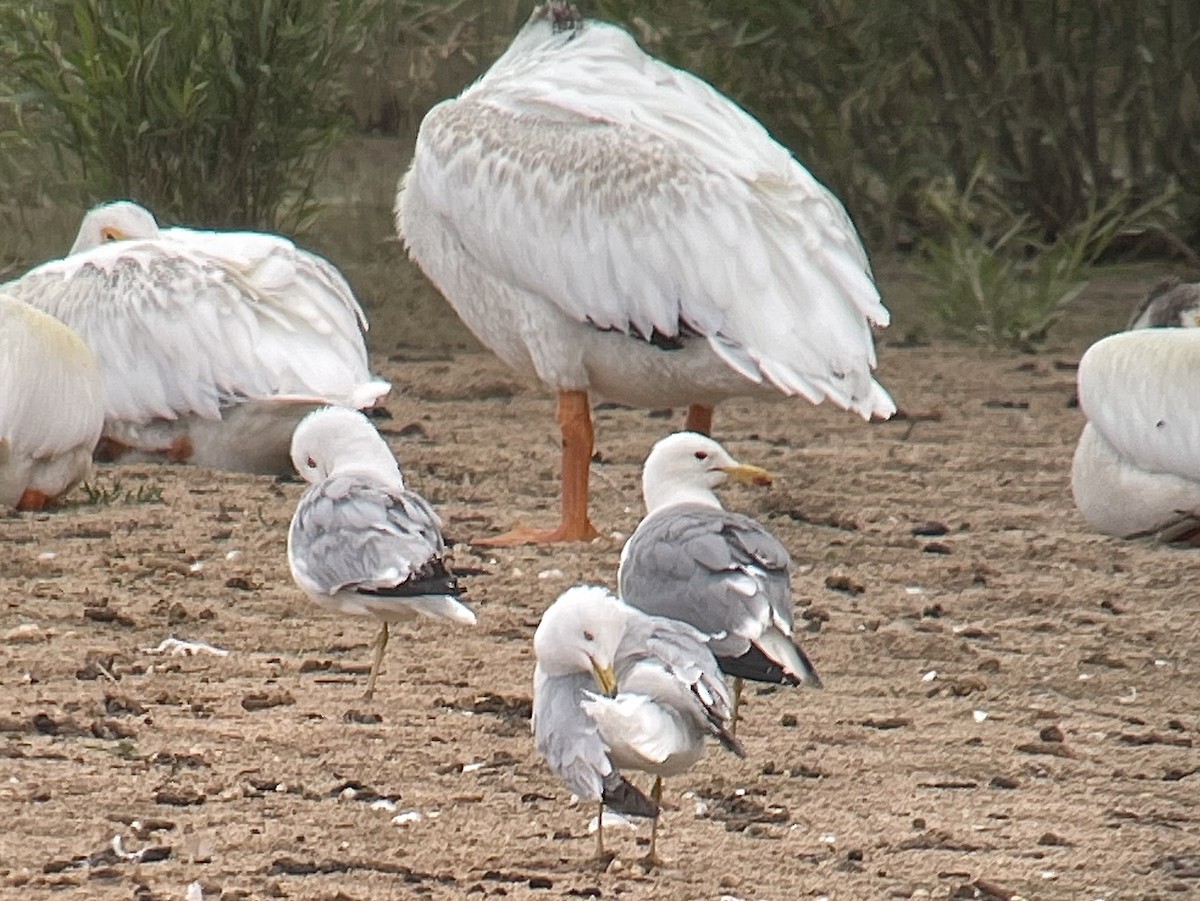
(1011, 704)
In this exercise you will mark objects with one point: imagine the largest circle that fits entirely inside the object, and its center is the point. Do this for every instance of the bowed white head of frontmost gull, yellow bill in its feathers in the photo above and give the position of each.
(580, 634)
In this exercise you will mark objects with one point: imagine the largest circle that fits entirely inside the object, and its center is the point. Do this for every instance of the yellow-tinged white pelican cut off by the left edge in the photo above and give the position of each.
(51, 406)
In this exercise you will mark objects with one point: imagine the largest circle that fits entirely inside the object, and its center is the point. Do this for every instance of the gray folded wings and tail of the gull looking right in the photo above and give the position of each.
(725, 575)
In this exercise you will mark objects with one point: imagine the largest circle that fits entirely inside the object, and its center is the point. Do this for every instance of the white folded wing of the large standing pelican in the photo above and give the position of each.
(667, 207)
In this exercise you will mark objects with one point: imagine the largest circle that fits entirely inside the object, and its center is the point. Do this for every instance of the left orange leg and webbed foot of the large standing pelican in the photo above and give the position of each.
(575, 421)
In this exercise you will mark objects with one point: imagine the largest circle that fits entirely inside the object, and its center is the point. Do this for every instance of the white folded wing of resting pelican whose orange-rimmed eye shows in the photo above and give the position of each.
(179, 333)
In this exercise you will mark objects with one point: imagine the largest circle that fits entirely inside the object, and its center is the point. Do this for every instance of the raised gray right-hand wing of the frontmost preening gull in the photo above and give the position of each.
(655, 647)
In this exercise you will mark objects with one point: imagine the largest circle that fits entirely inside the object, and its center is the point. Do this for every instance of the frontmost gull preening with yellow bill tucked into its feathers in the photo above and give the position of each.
(616, 689)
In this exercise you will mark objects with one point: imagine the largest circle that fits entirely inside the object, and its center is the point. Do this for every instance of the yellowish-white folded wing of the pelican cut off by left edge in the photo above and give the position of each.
(51, 399)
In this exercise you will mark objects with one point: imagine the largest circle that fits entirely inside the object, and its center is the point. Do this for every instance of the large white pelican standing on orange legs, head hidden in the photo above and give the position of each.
(611, 225)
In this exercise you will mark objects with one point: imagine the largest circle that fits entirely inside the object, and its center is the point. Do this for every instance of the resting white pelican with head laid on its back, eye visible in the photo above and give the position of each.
(212, 346)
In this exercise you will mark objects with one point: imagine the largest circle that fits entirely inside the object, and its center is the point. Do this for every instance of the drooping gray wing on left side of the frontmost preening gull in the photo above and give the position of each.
(568, 740)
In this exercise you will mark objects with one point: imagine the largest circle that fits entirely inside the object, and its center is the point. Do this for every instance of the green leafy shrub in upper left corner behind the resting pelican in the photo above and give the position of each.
(217, 112)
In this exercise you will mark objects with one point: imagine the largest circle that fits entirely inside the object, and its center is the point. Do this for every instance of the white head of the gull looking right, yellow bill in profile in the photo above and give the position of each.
(686, 467)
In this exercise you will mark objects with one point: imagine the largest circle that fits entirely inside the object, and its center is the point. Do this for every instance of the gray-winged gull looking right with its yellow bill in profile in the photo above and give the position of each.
(723, 573)
